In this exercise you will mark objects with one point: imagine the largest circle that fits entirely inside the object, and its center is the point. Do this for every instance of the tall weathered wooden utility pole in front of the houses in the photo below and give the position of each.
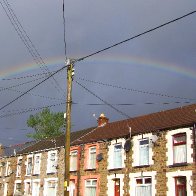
(68, 126)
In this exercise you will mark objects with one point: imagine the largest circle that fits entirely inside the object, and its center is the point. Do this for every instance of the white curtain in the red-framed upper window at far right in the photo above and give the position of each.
(180, 154)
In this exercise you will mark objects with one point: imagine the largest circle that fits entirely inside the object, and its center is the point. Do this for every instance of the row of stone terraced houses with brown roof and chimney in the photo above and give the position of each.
(144, 156)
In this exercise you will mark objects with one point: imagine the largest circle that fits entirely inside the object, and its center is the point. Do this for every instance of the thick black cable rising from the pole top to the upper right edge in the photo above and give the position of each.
(136, 36)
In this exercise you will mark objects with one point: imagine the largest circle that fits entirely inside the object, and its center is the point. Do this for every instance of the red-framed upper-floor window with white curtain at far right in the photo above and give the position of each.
(179, 148)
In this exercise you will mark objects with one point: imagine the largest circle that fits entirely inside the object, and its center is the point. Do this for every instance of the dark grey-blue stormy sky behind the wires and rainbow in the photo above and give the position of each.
(157, 68)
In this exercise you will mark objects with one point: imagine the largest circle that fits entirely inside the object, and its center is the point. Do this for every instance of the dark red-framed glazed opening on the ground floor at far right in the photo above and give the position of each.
(180, 186)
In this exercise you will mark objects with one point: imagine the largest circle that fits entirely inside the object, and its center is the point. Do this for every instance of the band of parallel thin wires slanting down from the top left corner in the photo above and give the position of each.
(25, 38)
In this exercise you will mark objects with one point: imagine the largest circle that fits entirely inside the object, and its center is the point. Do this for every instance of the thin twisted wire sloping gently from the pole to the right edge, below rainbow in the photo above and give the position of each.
(135, 90)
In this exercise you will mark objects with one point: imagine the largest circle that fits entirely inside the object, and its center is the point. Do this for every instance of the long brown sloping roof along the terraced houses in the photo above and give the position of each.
(170, 119)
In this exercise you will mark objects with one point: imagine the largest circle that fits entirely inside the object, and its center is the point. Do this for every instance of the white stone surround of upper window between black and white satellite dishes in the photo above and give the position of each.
(135, 155)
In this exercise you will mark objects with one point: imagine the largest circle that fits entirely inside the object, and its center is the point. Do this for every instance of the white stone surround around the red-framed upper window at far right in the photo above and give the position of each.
(169, 144)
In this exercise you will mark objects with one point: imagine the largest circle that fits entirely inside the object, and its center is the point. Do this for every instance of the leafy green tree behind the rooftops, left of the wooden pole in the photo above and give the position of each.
(46, 124)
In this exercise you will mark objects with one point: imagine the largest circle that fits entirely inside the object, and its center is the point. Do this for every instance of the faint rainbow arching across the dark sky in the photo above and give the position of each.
(58, 62)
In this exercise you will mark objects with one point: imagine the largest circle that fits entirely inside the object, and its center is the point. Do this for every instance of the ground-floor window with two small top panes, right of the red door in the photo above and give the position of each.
(143, 186)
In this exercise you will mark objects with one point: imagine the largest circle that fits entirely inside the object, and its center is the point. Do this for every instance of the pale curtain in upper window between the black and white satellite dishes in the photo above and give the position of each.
(144, 155)
